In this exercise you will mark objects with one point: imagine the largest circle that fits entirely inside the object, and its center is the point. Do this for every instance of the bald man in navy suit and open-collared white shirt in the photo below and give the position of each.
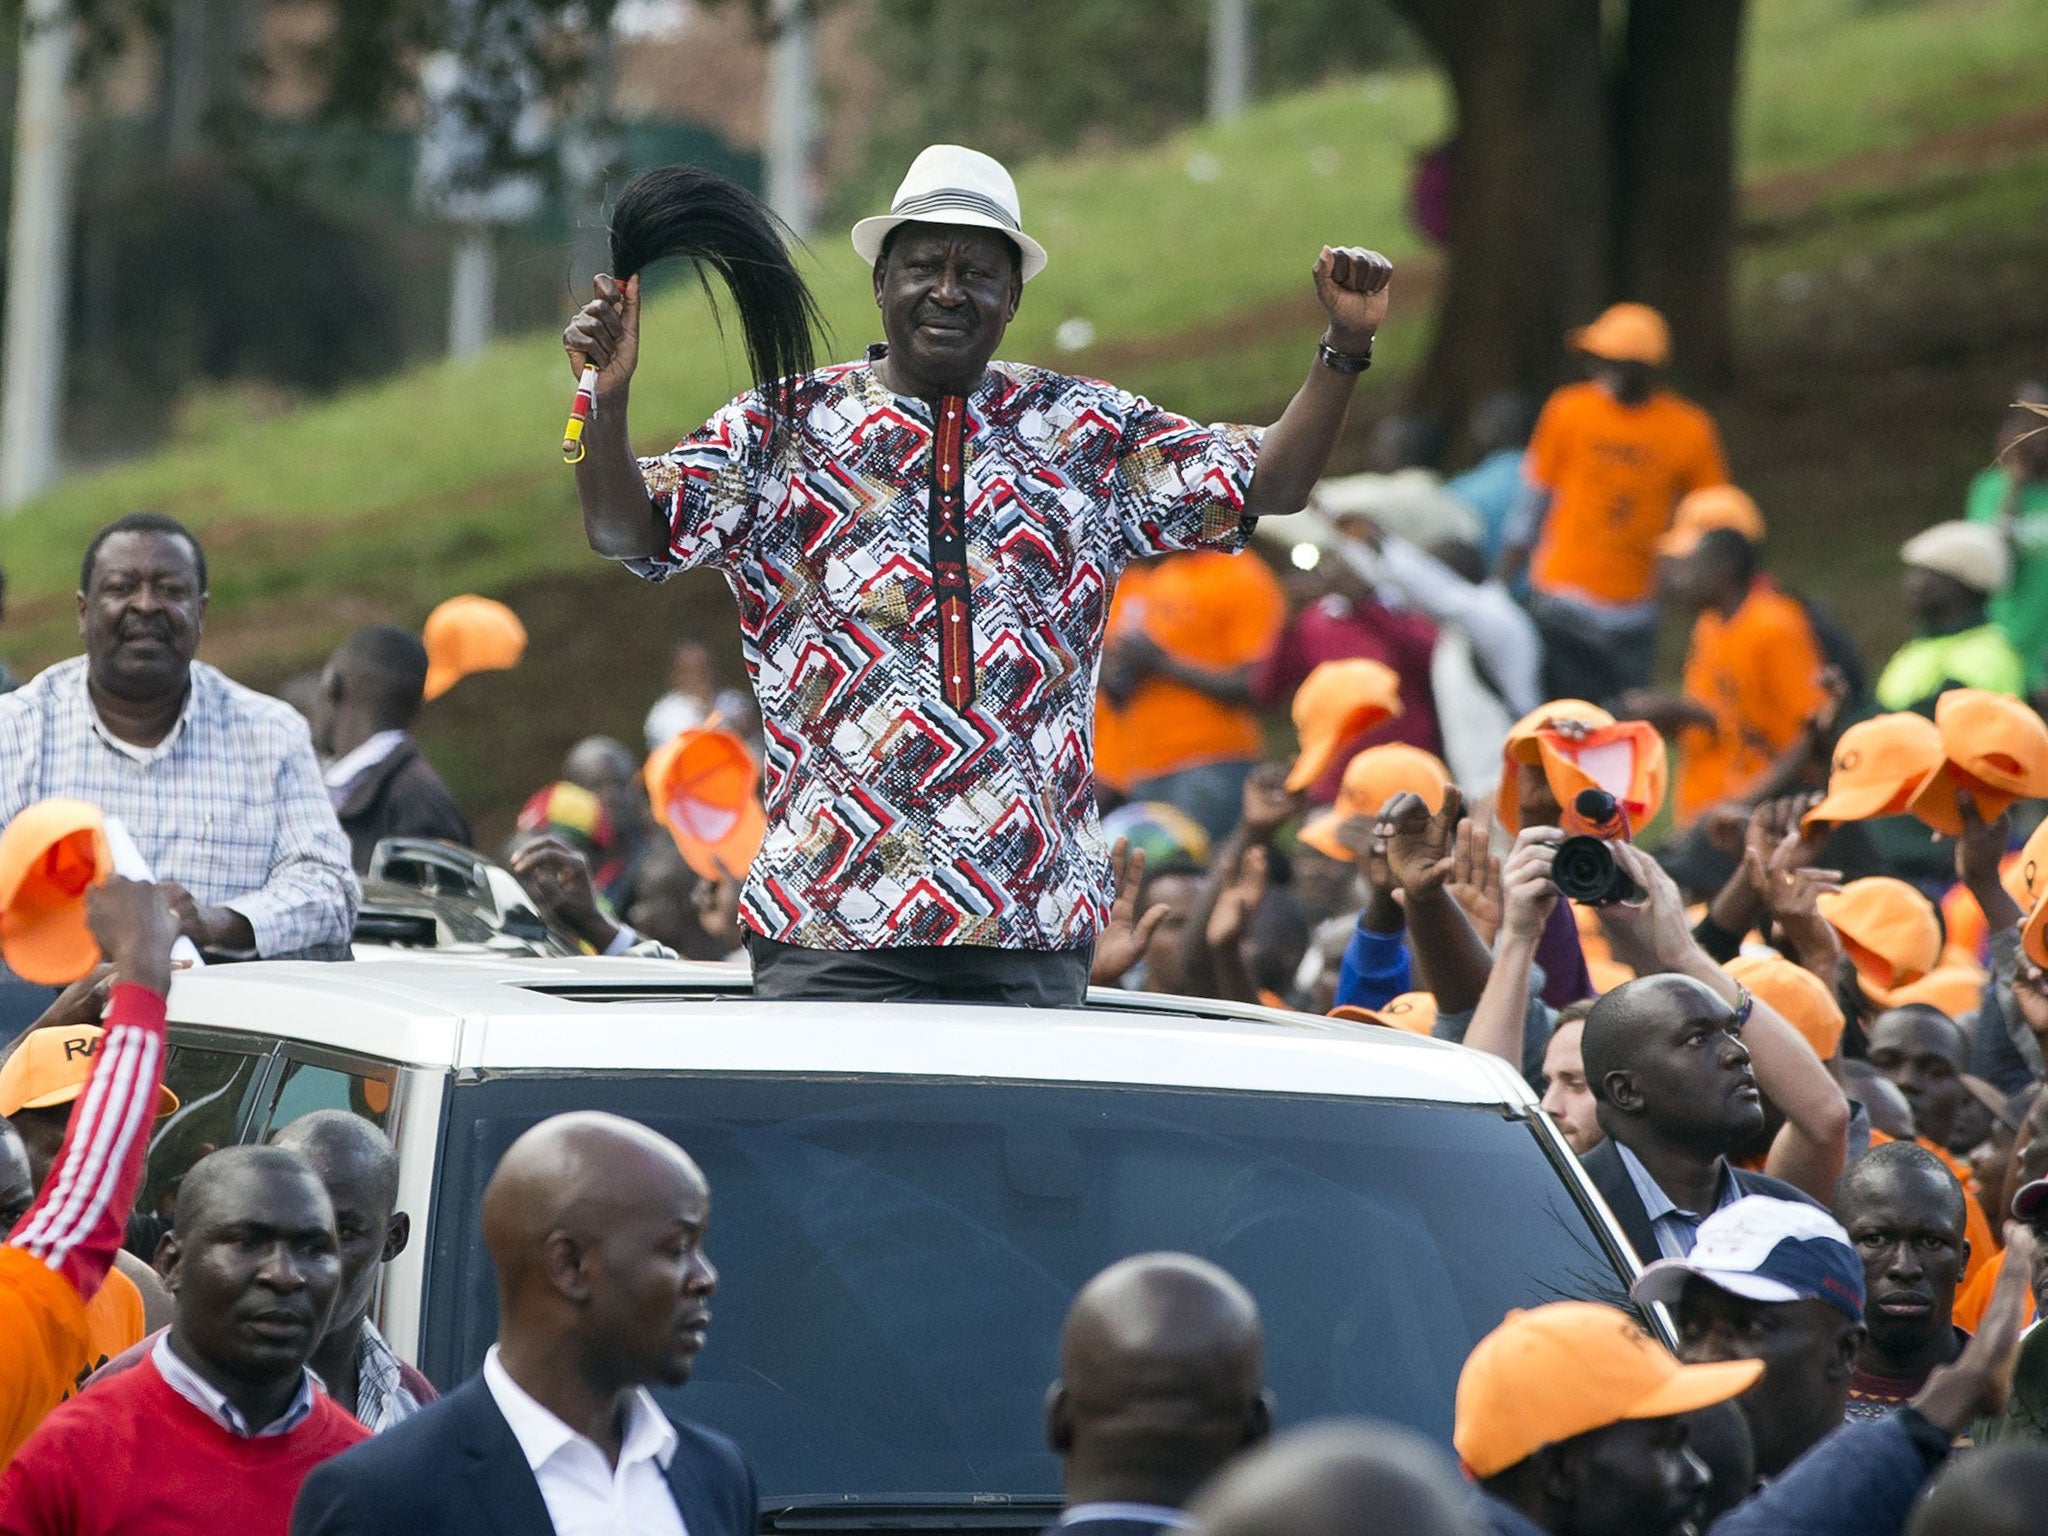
(597, 1230)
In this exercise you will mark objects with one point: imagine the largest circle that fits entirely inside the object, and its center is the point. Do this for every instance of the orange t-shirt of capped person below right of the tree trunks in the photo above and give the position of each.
(1758, 673)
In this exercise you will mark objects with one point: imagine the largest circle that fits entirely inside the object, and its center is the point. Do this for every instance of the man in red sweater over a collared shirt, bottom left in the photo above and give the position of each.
(220, 1426)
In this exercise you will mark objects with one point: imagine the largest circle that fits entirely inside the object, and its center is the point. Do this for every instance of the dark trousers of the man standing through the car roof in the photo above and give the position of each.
(923, 974)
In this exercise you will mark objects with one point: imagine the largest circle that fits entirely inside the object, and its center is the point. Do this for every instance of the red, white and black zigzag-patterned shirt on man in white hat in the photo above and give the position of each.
(925, 634)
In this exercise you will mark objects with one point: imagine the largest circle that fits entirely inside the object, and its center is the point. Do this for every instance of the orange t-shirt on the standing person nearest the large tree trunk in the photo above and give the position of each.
(1615, 474)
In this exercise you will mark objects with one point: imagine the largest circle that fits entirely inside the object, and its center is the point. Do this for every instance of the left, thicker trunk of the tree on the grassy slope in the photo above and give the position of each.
(1531, 222)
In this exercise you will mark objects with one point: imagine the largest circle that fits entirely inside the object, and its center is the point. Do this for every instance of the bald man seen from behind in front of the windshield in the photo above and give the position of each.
(1160, 1383)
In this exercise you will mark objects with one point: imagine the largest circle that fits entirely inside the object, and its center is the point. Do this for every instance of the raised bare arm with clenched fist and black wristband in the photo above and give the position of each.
(1295, 452)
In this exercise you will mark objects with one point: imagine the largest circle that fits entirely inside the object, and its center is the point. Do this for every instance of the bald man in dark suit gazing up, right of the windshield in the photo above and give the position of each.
(1676, 1095)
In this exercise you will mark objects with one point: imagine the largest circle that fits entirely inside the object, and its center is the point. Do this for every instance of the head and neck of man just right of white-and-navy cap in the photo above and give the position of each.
(1906, 1220)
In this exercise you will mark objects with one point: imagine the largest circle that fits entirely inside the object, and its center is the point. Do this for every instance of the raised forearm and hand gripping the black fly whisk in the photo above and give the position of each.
(620, 517)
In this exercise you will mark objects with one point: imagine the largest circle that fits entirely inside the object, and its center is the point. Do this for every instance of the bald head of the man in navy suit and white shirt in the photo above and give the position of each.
(595, 1226)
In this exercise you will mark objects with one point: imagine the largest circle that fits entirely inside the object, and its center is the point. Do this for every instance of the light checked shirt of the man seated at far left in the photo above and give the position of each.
(230, 804)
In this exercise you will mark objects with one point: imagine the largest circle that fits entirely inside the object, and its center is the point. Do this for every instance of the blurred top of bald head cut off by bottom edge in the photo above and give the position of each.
(1347, 1478)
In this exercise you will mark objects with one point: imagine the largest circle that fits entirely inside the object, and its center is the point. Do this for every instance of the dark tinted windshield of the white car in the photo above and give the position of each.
(896, 1256)
